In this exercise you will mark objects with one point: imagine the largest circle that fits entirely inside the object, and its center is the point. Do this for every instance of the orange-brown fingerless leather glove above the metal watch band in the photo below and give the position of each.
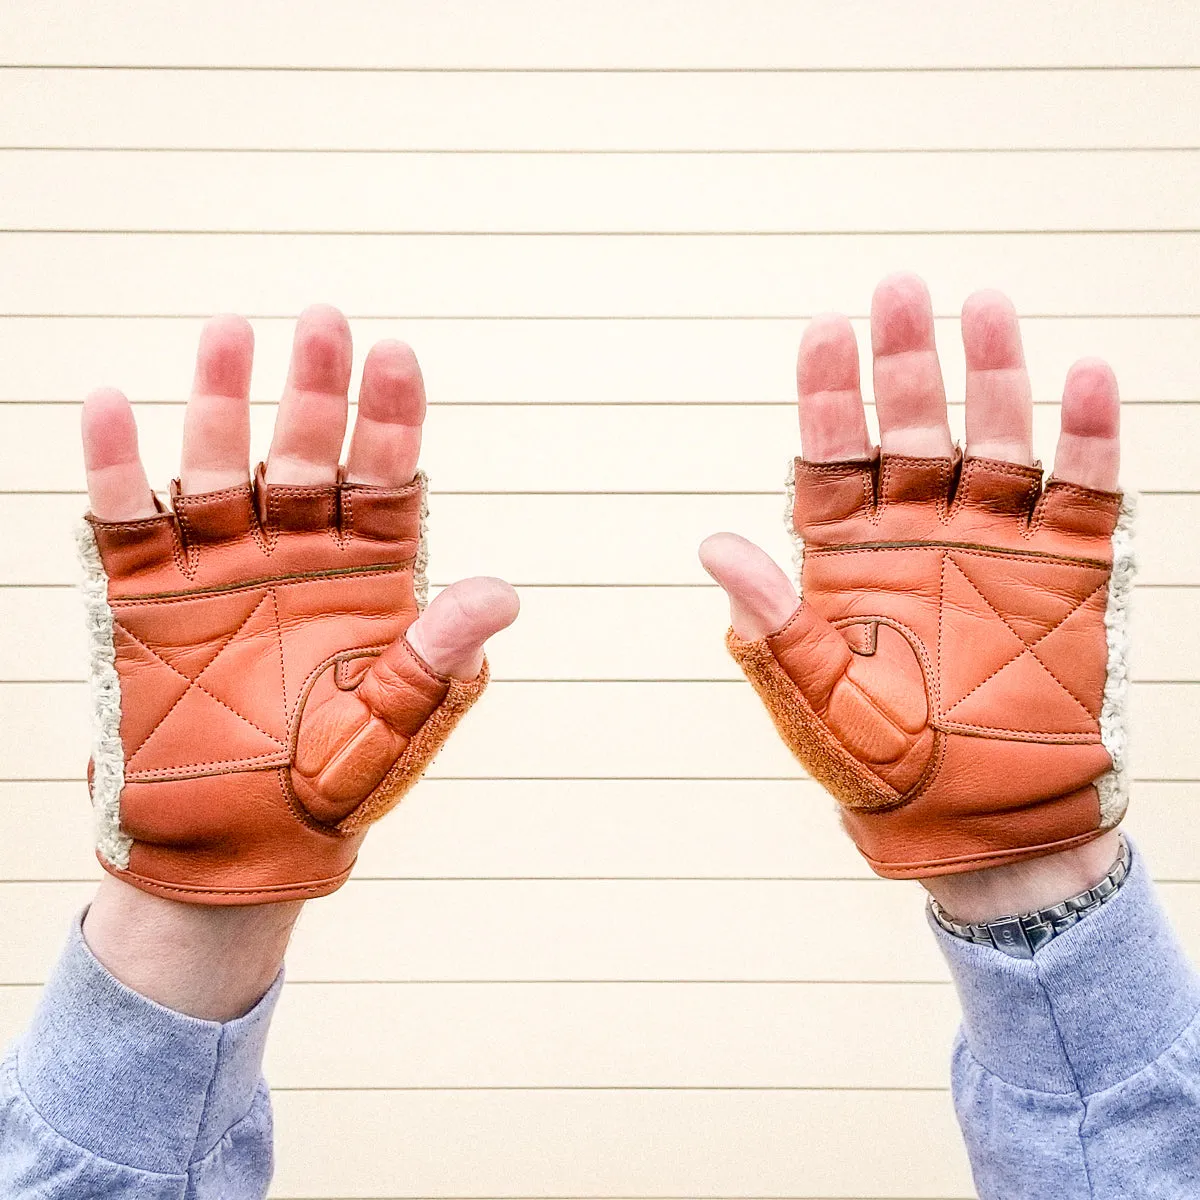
(957, 671)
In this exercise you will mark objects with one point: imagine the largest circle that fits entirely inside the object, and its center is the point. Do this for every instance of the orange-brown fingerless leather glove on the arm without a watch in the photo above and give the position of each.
(257, 705)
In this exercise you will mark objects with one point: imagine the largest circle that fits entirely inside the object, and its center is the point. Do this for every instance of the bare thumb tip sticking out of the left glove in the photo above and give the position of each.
(452, 632)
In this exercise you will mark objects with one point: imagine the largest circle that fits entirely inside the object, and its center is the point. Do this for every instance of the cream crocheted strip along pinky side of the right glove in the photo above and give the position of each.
(1114, 787)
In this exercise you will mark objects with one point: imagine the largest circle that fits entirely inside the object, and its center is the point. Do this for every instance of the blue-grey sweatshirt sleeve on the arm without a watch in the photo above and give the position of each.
(112, 1096)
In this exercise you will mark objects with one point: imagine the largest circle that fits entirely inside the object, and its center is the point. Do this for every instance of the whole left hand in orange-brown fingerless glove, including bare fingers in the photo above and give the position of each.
(278, 688)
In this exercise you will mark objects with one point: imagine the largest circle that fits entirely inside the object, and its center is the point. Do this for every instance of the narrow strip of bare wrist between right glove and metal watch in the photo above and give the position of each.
(981, 897)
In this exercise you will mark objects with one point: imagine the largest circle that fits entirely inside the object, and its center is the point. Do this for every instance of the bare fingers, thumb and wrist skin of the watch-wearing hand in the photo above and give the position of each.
(913, 416)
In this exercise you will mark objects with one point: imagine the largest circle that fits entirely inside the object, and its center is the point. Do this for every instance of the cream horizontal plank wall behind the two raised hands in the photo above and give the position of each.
(603, 951)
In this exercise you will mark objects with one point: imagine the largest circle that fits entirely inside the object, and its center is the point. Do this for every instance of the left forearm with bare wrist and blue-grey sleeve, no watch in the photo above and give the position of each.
(141, 1073)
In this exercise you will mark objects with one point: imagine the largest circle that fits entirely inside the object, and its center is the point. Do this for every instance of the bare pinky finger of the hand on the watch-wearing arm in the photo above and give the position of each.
(1090, 446)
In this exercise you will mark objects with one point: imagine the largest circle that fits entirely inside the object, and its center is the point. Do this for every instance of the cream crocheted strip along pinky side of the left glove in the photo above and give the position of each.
(107, 752)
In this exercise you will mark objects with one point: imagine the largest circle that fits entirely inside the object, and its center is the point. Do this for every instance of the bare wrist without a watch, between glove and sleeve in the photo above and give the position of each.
(211, 963)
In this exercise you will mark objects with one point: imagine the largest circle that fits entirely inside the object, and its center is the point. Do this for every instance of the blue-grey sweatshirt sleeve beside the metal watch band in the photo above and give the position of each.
(1077, 1073)
